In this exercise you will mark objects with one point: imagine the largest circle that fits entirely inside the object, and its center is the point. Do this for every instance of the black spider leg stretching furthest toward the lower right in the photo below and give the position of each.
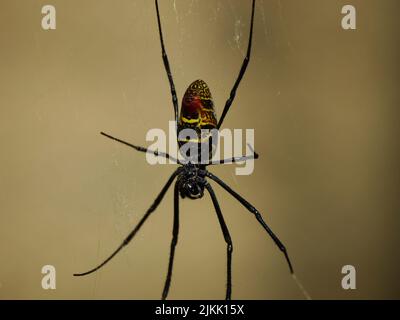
(257, 214)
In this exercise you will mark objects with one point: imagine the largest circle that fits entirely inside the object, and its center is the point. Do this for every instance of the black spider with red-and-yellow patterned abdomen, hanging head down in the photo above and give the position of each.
(197, 112)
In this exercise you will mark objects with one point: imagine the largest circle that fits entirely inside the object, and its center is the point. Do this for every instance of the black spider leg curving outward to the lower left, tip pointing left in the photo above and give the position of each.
(139, 225)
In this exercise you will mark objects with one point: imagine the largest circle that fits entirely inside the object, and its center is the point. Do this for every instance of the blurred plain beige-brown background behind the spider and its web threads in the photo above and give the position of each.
(324, 105)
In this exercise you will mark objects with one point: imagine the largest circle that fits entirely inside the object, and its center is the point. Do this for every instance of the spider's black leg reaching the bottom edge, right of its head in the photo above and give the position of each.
(228, 240)
